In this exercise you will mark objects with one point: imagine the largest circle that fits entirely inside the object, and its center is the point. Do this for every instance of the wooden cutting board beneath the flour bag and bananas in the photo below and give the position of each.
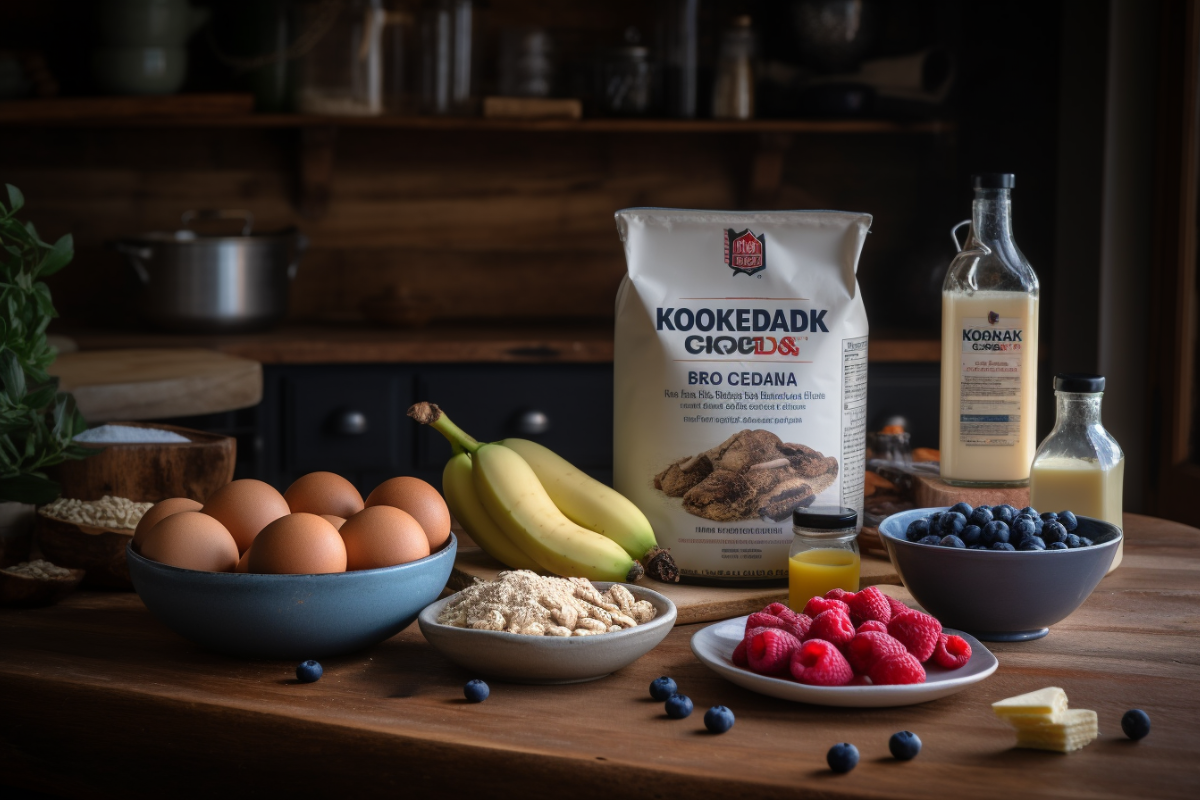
(694, 604)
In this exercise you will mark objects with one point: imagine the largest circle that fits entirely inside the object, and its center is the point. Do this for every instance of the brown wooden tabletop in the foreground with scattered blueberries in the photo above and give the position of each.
(100, 700)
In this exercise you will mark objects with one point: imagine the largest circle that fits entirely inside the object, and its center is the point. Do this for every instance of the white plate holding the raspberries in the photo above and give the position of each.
(715, 647)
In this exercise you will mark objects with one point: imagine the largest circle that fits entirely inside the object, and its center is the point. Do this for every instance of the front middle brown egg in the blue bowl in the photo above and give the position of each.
(299, 544)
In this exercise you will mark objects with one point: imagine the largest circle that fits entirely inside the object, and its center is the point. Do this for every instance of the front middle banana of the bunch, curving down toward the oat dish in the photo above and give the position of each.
(517, 502)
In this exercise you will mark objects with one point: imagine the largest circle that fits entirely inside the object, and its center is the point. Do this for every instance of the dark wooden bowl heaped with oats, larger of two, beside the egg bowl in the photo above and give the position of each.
(99, 551)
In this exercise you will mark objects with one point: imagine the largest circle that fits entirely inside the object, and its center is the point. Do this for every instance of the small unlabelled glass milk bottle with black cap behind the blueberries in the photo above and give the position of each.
(1079, 467)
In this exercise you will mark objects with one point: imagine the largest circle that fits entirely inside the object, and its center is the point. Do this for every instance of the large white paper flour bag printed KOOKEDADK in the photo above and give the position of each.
(741, 380)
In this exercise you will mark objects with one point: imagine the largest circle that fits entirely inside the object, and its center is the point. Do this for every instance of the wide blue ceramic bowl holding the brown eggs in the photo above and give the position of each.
(292, 617)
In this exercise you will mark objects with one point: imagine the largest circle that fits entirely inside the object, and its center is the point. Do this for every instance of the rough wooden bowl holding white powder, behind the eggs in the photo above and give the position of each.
(152, 472)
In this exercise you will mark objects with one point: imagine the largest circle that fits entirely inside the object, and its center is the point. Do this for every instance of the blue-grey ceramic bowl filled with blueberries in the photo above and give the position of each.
(995, 596)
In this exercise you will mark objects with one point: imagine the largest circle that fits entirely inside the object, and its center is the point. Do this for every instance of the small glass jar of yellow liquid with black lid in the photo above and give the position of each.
(824, 556)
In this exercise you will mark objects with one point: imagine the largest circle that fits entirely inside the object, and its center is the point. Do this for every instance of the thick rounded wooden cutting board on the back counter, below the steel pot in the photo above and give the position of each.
(157, 384)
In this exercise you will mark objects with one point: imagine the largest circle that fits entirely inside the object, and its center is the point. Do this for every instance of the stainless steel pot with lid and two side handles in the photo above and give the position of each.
(201, 284)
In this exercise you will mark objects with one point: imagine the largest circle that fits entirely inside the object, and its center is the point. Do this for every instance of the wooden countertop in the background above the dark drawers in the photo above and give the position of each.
(586, 344)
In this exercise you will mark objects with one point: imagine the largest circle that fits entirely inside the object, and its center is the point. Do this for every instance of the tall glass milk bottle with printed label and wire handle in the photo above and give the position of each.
(989, 350)
